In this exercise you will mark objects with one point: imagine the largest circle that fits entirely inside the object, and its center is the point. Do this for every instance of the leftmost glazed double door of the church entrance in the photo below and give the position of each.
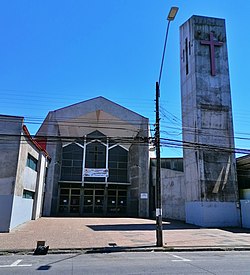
(69, 203)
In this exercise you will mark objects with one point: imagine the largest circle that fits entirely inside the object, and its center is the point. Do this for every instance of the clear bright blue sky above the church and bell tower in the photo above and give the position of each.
(54, 53)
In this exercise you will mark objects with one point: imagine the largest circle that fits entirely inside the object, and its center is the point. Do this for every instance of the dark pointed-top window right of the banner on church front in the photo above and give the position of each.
(118, 164)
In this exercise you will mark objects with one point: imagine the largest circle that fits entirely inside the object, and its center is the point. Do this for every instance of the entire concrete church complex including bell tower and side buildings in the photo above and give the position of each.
(93, 158)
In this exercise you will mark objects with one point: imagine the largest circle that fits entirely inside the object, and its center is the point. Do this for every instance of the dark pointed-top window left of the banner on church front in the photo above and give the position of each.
(71, 169)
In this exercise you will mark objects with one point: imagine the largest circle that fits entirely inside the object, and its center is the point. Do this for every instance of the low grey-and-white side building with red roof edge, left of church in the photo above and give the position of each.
(23, 166)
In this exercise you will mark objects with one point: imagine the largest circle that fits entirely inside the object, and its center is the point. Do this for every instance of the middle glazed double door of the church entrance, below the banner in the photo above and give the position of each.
(93, 201)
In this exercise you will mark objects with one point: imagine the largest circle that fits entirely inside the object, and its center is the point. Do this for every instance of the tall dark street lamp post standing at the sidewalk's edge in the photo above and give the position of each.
(159, 240)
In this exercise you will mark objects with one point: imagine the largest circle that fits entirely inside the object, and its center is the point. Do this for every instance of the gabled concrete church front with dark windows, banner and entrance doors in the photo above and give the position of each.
(100, 160)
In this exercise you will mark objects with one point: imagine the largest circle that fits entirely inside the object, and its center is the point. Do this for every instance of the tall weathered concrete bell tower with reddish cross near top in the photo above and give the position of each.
(207, 125)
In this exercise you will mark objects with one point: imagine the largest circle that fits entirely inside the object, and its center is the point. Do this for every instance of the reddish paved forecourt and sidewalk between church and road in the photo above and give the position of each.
(63, 234)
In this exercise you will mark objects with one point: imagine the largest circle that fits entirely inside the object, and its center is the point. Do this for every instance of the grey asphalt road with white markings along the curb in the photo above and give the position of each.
(218, 263)
